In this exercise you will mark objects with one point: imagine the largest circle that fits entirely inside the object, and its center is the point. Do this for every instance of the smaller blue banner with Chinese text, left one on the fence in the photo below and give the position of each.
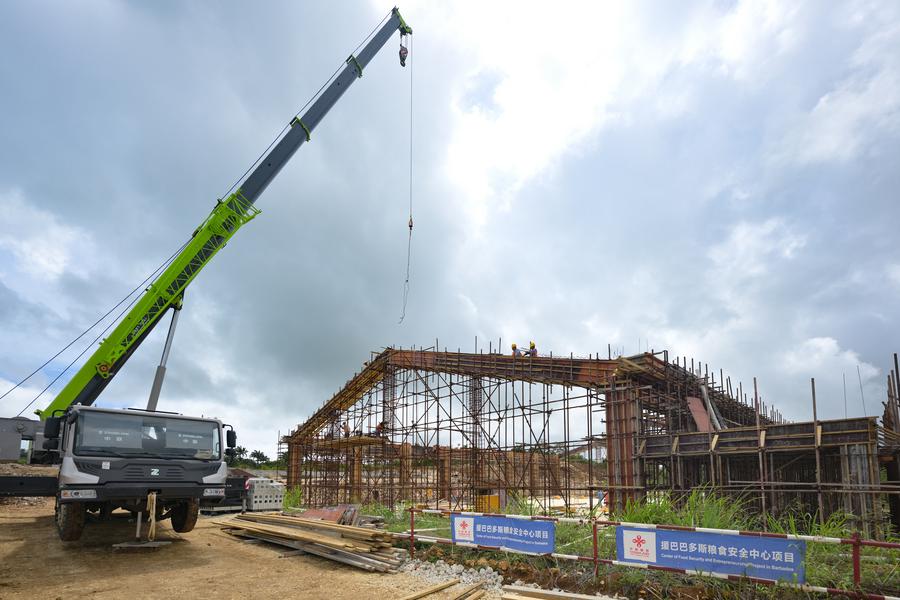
(515, 534)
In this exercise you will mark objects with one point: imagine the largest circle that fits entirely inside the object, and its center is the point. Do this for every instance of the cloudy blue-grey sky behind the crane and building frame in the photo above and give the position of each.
(715, 178)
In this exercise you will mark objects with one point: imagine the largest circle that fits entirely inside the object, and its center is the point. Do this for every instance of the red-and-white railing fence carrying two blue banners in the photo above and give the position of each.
(876, 569)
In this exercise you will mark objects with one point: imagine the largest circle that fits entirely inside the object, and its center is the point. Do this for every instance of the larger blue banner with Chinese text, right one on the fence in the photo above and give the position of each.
(768, 558)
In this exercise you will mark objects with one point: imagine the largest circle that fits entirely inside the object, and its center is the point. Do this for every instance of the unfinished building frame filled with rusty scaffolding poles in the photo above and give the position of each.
(564, 434)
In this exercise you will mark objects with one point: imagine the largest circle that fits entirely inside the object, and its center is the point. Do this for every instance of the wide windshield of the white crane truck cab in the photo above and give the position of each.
(110, 434)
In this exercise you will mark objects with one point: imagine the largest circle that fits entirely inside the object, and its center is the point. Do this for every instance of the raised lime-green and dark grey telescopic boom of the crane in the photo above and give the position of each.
(227, 217)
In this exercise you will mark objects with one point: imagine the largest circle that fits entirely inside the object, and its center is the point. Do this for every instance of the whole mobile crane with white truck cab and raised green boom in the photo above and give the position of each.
(147, 460)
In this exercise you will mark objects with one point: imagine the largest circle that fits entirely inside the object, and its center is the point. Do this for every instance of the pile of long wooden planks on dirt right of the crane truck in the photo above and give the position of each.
(365, 548)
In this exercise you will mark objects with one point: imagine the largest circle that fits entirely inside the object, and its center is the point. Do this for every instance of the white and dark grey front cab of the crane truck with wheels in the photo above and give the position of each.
(115, 458)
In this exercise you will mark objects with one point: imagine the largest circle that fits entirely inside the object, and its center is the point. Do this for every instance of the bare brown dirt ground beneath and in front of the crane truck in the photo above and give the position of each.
(34, 563)
